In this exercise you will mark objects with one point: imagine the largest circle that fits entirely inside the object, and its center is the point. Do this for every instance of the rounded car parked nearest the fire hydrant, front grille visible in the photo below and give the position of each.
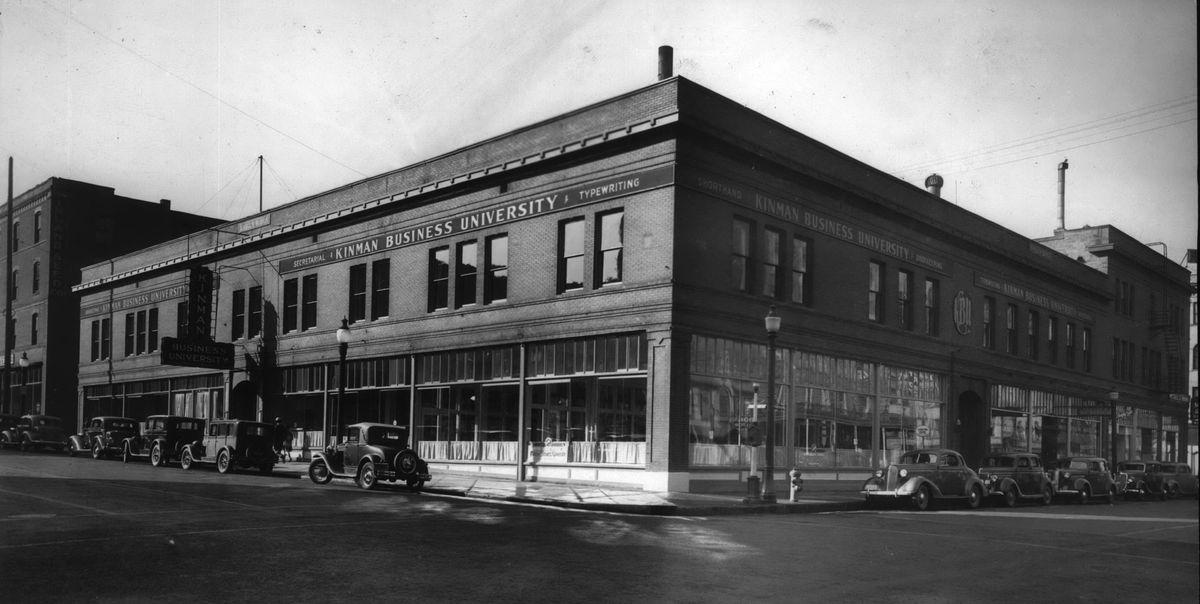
(923, 476)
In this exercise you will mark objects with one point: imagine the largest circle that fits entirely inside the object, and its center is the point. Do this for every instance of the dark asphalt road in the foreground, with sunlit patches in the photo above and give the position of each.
(74, 529)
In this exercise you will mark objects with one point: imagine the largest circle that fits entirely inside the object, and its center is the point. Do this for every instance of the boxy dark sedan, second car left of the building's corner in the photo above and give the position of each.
(232, 444)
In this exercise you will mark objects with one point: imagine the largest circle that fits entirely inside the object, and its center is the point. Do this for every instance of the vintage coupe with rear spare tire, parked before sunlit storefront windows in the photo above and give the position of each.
(370, 453)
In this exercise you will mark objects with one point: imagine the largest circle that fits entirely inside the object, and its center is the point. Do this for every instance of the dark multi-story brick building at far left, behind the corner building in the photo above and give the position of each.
(59, 228)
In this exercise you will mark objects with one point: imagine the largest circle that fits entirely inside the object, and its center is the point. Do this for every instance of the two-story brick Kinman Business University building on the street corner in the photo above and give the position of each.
(584, 300)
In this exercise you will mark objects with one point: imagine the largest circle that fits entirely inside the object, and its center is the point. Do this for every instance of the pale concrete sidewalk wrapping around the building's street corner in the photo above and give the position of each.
(817, 497)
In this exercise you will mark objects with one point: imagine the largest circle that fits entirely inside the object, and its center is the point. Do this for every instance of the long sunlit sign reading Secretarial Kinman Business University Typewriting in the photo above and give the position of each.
(551, 202)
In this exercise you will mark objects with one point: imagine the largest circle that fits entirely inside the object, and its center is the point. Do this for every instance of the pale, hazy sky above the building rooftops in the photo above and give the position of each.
(178, 100)
